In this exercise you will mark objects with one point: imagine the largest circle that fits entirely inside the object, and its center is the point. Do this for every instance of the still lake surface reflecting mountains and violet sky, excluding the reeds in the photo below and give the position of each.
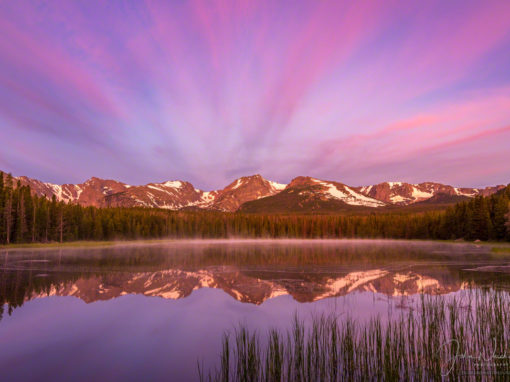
(152, 311)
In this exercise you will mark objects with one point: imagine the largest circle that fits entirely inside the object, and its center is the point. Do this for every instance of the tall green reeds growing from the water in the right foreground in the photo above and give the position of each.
(466, 337)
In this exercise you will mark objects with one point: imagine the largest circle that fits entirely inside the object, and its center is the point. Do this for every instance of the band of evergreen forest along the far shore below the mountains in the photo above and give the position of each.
(28, 218)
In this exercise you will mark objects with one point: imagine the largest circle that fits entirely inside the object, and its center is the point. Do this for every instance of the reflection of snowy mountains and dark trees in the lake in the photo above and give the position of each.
(248, 272)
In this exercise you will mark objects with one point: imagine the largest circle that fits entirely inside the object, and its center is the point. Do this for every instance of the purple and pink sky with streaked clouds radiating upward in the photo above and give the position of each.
(210, 90)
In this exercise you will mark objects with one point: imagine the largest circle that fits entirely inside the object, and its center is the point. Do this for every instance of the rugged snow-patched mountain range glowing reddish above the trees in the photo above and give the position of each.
(256, 194)
